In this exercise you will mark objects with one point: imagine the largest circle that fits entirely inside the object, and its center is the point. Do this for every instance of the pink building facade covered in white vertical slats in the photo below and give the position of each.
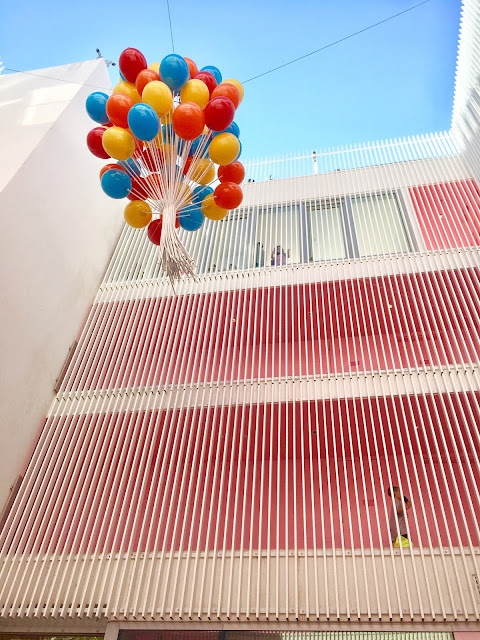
(217, 459)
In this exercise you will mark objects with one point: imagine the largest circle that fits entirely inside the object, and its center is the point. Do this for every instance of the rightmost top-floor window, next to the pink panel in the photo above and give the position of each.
(379, 225)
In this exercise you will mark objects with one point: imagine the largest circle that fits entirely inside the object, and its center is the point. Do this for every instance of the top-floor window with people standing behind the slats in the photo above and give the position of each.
(277, 236)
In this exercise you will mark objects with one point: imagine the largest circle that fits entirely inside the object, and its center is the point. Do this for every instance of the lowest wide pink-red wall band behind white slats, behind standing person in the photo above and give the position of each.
(267, 476)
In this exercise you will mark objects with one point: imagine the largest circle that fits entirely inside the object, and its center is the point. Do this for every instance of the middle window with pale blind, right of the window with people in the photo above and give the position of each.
(327, 229)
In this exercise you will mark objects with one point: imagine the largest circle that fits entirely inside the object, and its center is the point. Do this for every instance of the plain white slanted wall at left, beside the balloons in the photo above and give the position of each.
(57, 233)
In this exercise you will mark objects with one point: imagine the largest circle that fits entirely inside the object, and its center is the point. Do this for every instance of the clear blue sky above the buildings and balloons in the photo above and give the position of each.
(394, 80)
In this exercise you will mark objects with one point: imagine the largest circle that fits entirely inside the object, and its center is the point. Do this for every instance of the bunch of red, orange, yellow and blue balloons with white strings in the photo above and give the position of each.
(168, 125)
